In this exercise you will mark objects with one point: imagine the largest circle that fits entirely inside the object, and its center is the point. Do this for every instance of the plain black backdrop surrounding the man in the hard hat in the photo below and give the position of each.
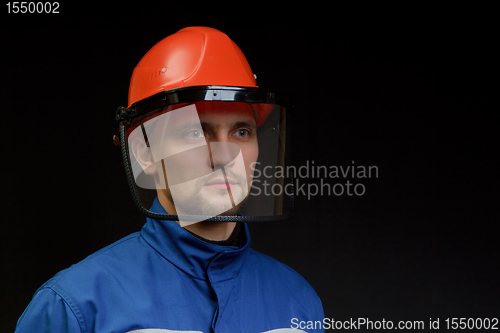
(406, 89)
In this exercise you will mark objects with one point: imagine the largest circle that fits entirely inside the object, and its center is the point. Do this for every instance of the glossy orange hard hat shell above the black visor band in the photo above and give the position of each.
(194, 56)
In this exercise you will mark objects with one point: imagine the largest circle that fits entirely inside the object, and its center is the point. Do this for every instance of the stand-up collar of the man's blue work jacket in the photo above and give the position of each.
(195, 257)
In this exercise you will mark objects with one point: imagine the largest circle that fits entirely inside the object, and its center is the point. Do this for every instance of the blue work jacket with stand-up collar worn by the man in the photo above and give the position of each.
(163, 277)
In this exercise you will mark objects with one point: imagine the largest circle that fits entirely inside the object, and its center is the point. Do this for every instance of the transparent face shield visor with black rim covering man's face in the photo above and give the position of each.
(209, 154)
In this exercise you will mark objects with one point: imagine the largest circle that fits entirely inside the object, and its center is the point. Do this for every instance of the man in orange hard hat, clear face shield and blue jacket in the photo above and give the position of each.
(195, 132)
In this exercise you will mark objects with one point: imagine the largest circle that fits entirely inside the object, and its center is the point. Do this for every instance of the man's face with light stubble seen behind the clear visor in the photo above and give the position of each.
(206, 153)
